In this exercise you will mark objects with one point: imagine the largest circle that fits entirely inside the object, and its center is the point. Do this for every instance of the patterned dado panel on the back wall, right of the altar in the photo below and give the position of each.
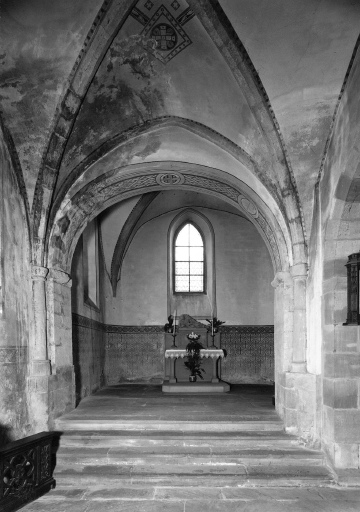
(250, 353)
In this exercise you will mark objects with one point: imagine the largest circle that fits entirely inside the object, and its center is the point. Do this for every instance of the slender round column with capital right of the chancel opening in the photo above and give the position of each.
(299, 275)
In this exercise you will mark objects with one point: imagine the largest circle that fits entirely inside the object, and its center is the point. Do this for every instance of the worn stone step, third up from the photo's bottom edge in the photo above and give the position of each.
(186, 455)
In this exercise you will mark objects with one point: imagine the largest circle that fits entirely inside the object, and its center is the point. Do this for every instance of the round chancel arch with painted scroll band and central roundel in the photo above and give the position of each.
(123, 183)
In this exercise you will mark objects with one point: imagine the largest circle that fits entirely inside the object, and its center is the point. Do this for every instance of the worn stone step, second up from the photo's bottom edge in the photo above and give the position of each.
(229, 476)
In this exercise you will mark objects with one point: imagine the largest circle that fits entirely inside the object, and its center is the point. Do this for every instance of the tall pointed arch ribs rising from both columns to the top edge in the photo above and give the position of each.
(107, 24)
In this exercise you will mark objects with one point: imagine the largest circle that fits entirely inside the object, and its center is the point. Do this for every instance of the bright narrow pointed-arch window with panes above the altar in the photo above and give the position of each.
(189, 260)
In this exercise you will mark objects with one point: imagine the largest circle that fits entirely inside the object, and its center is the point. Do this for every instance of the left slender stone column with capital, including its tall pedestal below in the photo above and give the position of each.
(38, 381)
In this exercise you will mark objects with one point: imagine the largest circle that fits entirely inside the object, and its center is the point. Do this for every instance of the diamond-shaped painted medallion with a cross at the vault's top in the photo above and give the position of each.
(169, 35)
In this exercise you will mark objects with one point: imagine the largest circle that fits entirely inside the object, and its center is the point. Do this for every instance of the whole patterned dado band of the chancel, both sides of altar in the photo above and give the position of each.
(136, 353)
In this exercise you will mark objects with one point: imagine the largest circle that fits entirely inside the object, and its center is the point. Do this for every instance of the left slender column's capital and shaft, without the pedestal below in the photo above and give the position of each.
(38, 355)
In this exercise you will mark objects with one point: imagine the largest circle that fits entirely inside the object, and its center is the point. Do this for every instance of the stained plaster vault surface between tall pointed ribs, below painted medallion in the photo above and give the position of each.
(190, 86)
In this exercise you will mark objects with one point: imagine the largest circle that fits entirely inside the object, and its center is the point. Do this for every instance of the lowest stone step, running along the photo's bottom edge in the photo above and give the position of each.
(226, 500)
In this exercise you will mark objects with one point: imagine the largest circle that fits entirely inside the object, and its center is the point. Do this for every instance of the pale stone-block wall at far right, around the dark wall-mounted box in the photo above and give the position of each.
(339, 195)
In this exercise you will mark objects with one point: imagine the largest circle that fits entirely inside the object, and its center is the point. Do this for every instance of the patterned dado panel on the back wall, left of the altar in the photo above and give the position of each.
(134, 353)
